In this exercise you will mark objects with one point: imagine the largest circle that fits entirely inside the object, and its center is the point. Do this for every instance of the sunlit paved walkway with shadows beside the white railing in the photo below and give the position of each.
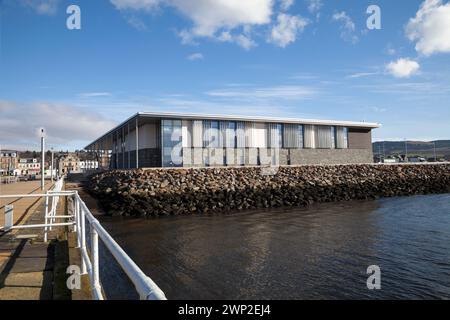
(29, 268)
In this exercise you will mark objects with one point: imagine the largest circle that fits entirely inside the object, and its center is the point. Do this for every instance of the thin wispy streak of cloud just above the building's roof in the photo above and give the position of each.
(276, 92)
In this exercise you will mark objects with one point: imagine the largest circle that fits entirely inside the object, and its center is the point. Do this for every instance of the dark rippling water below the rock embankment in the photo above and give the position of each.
(320, 252)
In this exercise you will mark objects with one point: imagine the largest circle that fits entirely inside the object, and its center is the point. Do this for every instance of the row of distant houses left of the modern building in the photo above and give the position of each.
(11, 164)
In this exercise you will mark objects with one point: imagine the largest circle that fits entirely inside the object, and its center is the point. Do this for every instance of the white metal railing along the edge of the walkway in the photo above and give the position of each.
(80, 218)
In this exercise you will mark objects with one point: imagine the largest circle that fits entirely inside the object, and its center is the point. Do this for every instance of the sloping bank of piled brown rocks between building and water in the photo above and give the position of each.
(210, 190)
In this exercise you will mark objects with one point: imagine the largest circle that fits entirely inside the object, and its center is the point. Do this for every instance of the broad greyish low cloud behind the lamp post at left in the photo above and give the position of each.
(64, 123)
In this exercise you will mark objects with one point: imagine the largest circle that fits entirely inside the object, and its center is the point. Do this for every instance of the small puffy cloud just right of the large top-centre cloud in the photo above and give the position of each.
(286, 29)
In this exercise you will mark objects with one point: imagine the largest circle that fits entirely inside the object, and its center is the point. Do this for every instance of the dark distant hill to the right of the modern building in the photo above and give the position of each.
(415, 148)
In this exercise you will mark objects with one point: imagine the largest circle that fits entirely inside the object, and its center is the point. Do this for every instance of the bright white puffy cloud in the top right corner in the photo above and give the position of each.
(431, 27)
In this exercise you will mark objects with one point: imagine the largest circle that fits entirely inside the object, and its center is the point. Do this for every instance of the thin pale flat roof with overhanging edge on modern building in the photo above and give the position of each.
(199, 116)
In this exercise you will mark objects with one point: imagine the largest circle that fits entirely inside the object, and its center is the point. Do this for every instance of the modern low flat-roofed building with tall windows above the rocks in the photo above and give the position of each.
(193, 140)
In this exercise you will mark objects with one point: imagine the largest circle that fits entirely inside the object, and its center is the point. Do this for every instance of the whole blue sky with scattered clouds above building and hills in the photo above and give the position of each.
(303, 58)
